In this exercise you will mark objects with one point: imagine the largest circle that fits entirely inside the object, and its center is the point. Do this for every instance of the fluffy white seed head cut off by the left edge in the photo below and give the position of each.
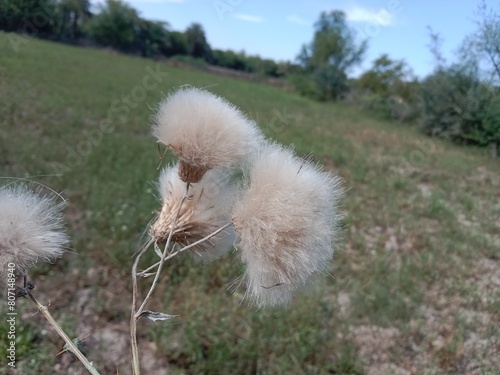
(31, 229)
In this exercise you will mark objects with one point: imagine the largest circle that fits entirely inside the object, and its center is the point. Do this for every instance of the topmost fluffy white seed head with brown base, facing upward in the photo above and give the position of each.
(205, 131)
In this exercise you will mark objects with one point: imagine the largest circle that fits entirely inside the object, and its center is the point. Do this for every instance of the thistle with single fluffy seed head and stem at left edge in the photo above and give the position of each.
(31, 230)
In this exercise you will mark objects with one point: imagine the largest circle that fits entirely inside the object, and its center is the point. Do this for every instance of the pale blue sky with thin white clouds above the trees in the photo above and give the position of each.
(278, 29)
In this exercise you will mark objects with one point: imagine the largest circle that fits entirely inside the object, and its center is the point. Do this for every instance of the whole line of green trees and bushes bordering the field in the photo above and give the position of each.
(459, 101)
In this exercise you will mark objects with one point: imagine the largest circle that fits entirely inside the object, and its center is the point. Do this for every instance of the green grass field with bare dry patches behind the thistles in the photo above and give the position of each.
(415, 288)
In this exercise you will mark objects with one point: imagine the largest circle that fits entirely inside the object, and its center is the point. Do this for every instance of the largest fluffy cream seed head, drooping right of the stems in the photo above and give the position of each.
(287, 224)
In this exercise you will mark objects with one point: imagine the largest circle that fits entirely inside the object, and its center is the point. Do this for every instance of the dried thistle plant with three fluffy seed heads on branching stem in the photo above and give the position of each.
(283, 210)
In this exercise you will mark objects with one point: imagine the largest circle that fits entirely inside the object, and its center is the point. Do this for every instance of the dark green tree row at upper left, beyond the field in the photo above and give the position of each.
(117, 25)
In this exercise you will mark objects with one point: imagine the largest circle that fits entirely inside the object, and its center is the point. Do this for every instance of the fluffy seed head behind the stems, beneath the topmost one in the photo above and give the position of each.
(204, 211)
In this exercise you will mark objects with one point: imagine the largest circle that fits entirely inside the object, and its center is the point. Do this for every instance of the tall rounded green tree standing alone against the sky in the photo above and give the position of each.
(332, 53)
